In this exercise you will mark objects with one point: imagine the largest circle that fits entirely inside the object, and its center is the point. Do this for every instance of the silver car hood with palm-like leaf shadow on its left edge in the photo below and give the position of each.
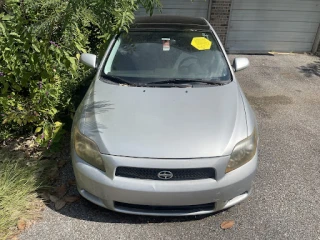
(164, 122)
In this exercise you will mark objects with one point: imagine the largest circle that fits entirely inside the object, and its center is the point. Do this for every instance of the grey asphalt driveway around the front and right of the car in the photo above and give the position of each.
(285, 93)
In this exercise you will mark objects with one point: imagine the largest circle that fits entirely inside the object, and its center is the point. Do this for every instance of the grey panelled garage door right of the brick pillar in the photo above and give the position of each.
(273, 25)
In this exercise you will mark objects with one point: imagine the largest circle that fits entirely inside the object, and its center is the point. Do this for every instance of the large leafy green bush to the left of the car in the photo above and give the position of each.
(40, 45)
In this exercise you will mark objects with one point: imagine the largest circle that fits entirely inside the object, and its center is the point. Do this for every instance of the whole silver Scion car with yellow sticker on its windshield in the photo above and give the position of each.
(164, 128)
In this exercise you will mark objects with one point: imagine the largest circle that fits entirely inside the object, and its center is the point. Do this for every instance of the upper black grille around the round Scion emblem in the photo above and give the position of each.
(177, 174)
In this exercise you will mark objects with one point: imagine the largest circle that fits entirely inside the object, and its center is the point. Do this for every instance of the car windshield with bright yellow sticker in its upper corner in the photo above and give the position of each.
(154, 56)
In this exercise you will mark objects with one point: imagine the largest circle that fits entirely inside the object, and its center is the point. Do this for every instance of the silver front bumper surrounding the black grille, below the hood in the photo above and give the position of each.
(107, 190)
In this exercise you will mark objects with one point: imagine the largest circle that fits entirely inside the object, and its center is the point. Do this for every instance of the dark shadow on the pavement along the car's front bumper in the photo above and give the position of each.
(85, 210)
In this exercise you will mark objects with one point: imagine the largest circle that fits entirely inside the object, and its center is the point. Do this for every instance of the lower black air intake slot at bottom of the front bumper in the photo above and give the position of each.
(164, 209)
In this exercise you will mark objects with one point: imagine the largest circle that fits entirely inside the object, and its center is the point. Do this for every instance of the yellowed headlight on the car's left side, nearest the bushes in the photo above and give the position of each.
(87, 150)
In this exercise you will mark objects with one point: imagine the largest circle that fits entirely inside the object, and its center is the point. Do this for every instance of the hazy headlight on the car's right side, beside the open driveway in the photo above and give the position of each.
(243, 152)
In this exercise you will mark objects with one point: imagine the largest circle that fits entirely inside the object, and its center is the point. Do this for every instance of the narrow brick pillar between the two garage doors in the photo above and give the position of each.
(219, 17)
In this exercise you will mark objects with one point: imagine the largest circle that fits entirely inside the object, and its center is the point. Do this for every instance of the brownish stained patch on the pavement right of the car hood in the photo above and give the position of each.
(267, 105)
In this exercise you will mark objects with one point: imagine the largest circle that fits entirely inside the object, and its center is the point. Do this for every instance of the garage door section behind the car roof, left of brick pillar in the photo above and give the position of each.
(195, 8)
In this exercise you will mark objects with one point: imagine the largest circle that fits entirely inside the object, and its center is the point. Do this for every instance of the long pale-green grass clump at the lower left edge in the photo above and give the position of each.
(18, 185)
